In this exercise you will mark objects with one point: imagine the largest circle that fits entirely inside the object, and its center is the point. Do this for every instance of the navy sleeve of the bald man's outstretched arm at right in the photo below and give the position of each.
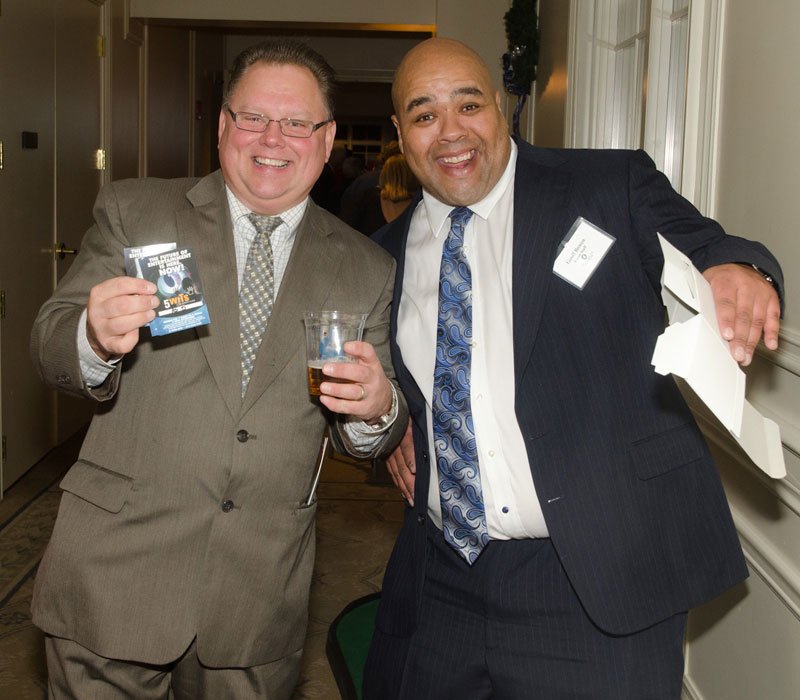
(657, 207)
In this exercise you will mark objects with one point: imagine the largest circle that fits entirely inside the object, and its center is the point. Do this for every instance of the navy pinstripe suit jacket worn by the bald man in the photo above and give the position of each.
(632, 500)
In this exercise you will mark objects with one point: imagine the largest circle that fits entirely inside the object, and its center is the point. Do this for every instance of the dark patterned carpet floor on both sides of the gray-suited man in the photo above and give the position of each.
(358, 517)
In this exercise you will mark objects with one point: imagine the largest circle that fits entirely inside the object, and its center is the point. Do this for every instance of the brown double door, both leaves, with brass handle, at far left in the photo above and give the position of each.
(50, 128)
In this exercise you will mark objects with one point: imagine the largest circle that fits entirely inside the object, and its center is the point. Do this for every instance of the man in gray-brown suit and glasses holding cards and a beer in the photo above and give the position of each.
(181, 560)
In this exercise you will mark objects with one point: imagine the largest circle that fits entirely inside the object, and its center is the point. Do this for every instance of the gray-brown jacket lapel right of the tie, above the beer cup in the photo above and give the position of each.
(312, 269)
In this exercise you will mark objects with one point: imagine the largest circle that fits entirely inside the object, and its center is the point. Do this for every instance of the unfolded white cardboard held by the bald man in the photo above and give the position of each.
(692, 348)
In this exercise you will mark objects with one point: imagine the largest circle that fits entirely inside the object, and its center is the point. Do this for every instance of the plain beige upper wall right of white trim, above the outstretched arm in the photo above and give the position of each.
(759, 169)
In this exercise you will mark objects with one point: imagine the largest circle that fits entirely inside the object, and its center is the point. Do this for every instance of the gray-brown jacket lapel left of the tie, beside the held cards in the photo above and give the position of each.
(201, 229)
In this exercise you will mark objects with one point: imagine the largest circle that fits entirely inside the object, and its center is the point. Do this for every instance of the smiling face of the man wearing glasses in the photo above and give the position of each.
(270, 172)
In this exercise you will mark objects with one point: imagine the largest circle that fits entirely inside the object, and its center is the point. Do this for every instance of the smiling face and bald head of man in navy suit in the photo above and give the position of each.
(449, 123)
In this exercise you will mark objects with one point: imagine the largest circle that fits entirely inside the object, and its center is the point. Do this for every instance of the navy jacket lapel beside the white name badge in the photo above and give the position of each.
(540, 222)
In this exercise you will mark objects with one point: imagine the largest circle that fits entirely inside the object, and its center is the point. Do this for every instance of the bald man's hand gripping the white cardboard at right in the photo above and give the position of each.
(747, 306)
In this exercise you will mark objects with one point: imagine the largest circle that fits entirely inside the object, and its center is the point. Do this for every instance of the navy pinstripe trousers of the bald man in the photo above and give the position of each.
(510, 627)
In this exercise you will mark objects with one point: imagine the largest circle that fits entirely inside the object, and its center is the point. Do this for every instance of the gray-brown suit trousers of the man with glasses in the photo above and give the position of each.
(75, 673)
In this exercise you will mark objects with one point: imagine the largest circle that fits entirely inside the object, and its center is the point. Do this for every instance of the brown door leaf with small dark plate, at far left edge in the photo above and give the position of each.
(26, 225)
